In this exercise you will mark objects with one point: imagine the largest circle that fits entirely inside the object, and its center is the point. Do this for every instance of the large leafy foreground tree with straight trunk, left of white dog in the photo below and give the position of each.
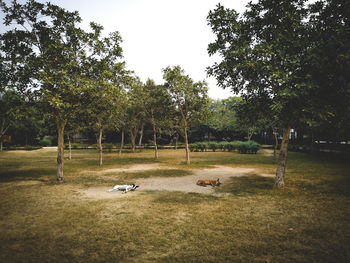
(47, 48)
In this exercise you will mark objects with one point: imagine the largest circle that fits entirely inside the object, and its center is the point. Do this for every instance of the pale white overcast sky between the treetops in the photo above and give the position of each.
(158, 33)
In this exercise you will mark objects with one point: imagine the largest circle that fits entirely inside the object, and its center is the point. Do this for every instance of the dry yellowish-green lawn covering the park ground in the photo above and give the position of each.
(246, 221)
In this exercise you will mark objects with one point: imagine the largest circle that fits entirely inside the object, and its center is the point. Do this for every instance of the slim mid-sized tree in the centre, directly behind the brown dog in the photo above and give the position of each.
(189, 99)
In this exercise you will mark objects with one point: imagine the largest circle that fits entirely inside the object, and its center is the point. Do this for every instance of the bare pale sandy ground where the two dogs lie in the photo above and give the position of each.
(183, 183)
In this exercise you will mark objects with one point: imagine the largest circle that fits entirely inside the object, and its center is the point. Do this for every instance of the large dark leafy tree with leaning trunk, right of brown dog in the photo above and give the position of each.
(266, 54)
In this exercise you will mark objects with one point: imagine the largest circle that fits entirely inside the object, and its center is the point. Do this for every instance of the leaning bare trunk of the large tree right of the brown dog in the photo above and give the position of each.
(279, 179)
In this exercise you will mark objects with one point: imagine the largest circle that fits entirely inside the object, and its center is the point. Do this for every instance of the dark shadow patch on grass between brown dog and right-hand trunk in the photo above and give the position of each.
(252, 184)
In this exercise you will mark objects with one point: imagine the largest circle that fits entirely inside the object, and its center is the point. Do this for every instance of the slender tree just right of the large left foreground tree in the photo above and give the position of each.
(106, 74)
